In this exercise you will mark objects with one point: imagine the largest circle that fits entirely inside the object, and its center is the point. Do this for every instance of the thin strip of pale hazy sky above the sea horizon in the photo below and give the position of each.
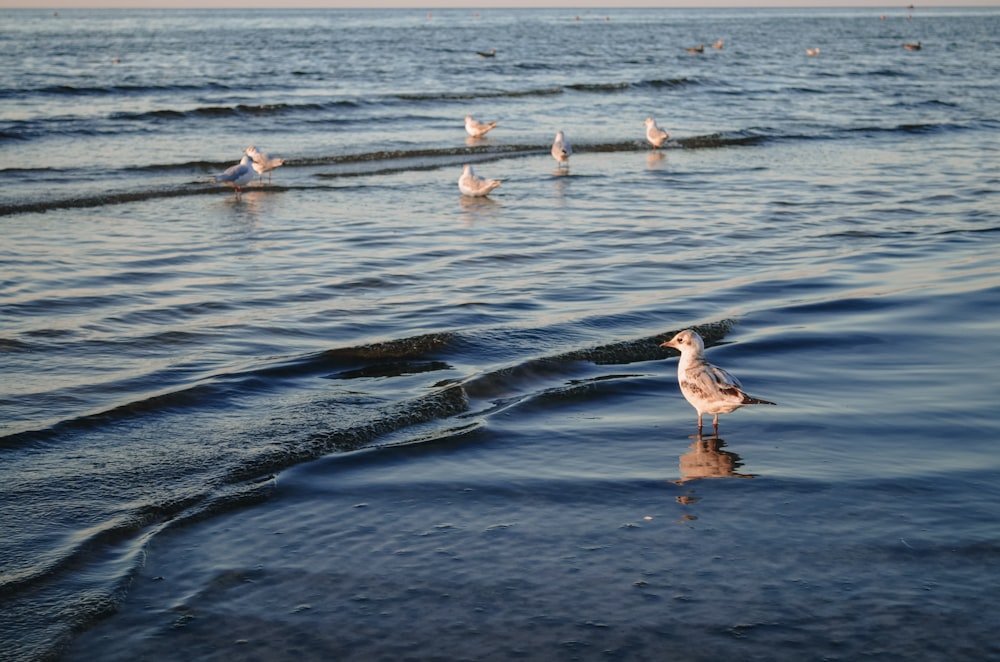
(484, 4)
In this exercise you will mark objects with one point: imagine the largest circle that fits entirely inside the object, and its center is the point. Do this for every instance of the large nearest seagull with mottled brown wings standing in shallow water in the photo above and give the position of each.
(708, 388)
